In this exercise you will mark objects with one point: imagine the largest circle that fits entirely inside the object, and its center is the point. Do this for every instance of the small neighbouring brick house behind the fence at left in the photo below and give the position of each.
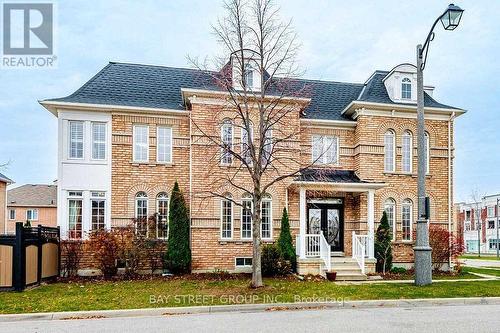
(36, 203)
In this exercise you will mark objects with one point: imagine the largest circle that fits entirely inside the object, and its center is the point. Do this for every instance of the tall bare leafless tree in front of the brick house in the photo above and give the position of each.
(263, 99)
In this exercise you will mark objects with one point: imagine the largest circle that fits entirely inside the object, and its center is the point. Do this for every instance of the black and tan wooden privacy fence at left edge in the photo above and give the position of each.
(29, 257)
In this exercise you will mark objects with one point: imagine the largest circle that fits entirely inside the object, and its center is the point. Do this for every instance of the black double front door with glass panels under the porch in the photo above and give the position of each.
(328, 218)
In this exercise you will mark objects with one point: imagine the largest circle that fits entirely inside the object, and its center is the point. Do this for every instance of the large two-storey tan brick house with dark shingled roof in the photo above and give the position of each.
(127, 135)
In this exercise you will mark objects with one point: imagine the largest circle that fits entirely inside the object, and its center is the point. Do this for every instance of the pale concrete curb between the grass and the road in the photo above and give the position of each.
(393, 303)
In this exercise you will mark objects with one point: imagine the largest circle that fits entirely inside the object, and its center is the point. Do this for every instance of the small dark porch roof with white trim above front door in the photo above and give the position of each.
(344, 180)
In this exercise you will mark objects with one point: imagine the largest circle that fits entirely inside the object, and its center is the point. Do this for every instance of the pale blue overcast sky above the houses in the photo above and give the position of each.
(341, 41)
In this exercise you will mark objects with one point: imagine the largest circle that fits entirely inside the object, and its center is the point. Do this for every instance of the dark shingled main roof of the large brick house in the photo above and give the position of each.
(160, 87)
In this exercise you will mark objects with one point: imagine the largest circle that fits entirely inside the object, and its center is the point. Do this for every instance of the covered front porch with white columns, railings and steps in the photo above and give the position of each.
(336, 224)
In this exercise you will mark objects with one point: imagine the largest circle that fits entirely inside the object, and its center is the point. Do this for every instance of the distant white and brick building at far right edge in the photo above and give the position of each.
(483, 234)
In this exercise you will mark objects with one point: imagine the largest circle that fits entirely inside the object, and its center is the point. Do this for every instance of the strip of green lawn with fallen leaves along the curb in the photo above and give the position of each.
(189, 292)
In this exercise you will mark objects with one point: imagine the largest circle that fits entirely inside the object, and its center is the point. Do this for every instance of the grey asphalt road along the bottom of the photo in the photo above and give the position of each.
(442, 319)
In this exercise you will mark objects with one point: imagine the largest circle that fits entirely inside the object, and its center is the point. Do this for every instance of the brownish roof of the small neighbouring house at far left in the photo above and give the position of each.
(33, 195)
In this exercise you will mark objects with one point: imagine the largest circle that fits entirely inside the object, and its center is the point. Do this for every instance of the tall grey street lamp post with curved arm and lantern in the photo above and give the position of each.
(423, 260)
